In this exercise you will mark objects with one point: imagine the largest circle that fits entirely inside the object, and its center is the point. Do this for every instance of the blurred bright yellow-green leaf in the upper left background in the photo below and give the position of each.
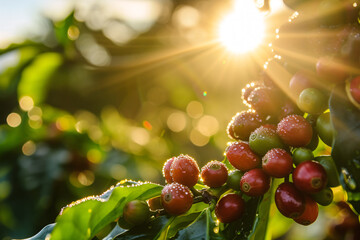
(36, 77)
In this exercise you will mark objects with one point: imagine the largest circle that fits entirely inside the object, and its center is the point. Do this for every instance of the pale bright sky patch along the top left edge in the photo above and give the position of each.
(21, 19)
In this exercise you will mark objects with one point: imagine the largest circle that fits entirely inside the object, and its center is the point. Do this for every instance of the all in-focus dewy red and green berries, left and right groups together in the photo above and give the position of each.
(271, 142)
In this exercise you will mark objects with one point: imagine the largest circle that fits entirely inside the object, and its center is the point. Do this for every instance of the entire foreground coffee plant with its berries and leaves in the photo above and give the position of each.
(308, 95)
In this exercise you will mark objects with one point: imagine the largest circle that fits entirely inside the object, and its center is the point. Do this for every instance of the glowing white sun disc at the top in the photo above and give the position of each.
(243, 29)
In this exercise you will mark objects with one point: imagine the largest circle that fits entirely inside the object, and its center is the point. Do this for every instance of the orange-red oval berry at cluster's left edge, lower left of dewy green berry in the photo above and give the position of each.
(242, 157)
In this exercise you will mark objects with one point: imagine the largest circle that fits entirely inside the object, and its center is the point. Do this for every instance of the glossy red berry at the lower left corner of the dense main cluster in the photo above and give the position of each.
(255, 182)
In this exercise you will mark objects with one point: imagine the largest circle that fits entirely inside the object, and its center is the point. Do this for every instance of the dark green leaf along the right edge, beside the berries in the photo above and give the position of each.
(346, 146)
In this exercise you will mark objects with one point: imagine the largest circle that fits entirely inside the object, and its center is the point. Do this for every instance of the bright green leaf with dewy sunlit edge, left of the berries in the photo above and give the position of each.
(86, 217)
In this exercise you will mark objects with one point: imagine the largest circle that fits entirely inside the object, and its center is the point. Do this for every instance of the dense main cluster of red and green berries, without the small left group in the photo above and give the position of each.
(275, 140)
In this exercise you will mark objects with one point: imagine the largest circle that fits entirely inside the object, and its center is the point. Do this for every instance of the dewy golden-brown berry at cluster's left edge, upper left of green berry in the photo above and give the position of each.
(243, 123)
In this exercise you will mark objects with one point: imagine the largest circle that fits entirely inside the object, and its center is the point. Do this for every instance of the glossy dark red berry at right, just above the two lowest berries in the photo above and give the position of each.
(310, 177)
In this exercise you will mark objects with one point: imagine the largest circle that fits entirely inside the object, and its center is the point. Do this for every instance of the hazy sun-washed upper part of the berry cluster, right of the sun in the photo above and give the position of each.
(331, 41)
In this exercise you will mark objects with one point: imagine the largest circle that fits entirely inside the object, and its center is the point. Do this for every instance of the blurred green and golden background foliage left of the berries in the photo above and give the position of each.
(108, 90)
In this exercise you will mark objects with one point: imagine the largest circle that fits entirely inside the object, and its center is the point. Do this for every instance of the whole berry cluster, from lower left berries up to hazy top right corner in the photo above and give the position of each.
(276, 137)
